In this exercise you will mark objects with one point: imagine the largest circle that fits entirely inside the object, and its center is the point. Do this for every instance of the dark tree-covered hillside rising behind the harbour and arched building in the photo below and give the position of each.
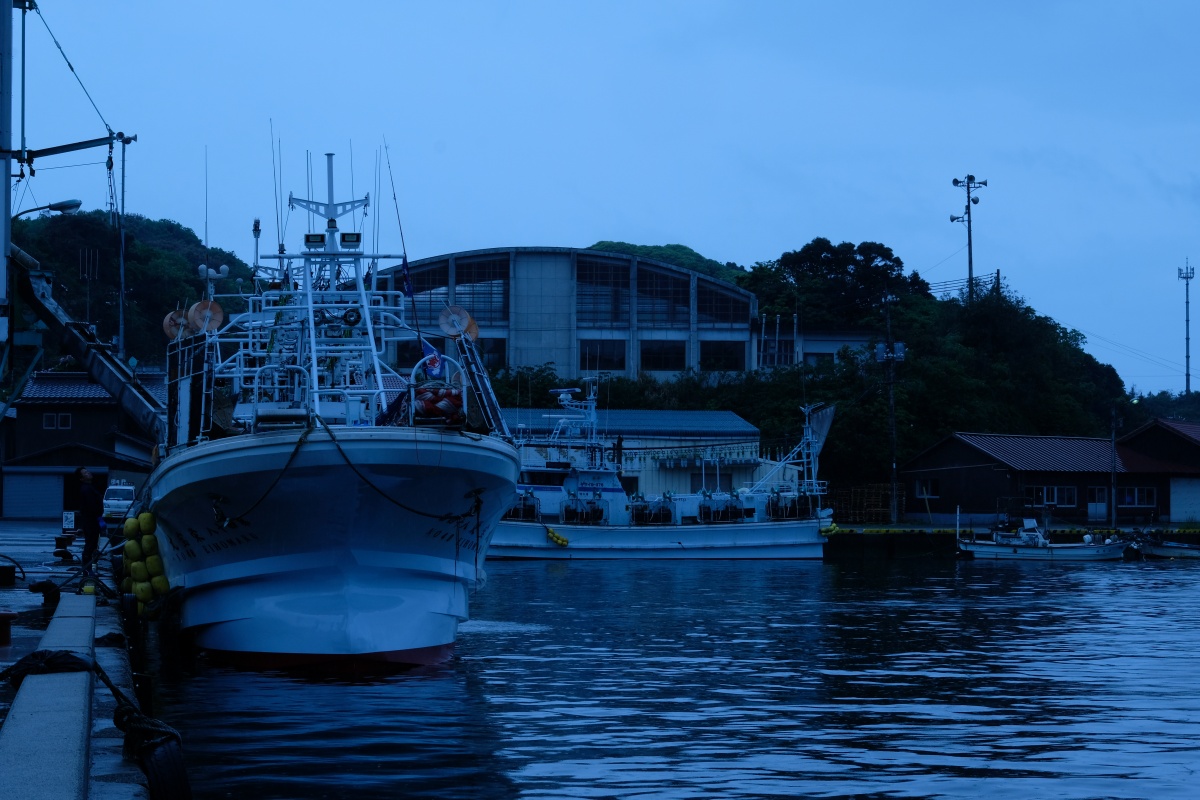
(994, 365)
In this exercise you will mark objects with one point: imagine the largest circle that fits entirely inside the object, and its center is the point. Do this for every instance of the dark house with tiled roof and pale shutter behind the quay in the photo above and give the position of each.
(63, 420)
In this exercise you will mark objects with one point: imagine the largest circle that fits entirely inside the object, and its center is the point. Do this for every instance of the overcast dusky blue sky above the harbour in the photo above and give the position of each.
(742, 130)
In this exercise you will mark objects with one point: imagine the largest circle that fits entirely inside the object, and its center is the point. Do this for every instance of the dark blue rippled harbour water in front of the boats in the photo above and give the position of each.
(911, 679)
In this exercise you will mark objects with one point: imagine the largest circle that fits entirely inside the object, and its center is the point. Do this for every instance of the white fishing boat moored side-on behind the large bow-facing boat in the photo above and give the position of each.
(572, 503)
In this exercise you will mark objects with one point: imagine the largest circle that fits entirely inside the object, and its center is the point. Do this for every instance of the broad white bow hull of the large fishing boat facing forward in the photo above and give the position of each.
(362, 544)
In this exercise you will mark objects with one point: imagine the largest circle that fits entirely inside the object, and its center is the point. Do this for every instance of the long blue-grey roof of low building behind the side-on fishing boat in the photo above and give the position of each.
(633, 423)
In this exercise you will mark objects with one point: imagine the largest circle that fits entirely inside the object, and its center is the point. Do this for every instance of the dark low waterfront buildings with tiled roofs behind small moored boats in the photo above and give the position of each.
(1149, 477)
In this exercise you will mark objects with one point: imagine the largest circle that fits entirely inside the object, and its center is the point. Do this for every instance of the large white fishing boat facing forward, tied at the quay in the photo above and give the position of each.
(316, 503)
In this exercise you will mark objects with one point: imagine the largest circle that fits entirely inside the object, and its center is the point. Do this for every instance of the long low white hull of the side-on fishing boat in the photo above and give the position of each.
(743, 540)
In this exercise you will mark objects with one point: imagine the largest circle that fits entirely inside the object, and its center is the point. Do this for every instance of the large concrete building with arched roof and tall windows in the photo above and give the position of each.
(587, 311)
